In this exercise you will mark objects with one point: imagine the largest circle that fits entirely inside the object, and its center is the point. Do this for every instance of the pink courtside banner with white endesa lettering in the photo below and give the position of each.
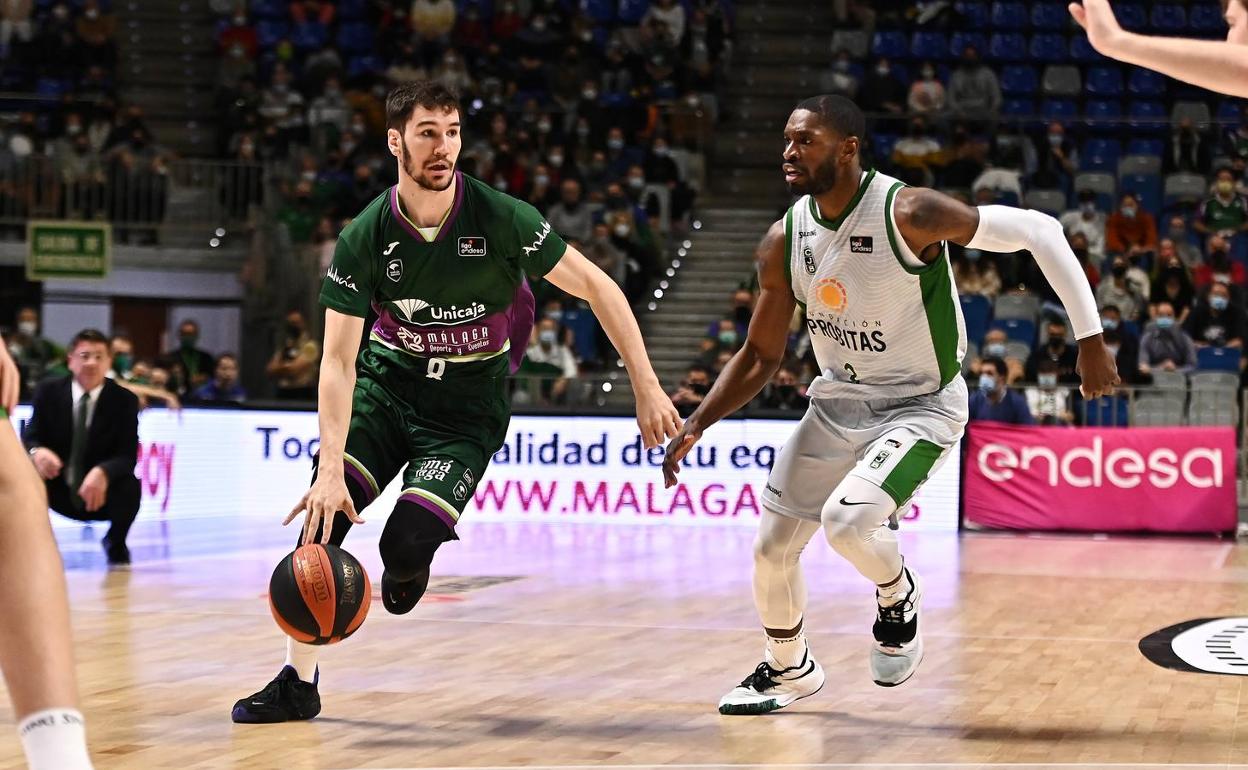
(1100, 480)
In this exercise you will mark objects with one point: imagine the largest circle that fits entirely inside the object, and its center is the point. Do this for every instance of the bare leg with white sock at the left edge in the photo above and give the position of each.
(37, 651)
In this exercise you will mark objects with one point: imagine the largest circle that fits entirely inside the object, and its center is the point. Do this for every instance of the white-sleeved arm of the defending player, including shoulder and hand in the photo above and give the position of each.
(925, 218)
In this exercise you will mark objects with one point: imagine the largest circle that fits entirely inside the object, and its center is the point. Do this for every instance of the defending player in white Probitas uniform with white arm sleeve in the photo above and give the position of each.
(865, 258)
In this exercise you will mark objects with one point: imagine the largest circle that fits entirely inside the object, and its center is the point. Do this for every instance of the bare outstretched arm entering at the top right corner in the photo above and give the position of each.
(1210, 64)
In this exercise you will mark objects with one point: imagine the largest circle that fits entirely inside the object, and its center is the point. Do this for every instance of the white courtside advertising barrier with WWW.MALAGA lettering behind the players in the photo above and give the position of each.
(251, 464)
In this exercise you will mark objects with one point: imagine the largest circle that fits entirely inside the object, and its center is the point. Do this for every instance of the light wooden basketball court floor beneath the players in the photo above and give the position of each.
(560, 646)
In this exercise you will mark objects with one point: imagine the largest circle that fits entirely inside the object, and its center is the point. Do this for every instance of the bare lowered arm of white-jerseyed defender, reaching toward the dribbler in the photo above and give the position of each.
(758, 360)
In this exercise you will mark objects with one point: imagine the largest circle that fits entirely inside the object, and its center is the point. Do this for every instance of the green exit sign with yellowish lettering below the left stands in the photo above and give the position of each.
(68, 250)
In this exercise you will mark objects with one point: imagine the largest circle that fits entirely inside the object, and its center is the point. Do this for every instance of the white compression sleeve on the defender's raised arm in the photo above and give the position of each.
(1004, 229)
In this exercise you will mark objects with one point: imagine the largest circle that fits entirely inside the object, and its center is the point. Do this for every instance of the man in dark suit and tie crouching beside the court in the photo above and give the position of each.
(83, 437)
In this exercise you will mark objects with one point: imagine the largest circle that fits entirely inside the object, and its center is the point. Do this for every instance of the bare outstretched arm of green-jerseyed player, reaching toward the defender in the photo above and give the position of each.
(656, 415)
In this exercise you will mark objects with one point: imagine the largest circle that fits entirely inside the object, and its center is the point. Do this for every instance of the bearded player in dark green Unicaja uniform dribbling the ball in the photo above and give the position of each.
(441, 259)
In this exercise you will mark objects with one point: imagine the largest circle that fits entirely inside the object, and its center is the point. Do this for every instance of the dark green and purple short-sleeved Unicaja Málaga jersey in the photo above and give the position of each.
(460, 298)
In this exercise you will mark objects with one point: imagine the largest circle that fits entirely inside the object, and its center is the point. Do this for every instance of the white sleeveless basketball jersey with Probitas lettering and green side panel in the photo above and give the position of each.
(883, 325)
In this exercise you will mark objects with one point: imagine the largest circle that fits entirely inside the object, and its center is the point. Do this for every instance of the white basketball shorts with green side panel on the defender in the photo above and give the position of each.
(894, 444)
